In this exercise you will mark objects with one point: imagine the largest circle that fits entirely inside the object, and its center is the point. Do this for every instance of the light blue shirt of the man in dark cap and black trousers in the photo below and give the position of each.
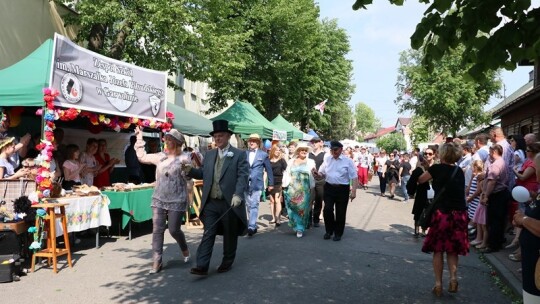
(338, 171)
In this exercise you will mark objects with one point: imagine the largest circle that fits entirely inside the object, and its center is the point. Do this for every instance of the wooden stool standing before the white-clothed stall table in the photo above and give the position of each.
(51, 251)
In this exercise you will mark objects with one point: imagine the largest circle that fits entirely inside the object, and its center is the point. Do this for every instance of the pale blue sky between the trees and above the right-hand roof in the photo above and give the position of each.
(377, 36)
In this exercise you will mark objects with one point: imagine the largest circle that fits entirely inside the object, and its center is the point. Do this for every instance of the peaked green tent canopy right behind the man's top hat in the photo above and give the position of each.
(244, 120)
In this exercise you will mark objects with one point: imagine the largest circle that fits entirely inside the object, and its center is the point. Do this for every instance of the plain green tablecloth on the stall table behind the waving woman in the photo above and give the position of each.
(135, 204)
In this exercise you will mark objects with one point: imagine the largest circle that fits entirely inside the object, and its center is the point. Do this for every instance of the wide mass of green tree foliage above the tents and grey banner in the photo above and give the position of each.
(275, 54)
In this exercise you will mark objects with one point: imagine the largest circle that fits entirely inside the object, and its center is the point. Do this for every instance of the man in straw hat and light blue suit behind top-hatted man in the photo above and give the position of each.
(258, 163)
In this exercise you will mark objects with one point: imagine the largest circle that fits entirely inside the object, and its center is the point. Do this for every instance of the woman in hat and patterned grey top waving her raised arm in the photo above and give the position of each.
(169, 201)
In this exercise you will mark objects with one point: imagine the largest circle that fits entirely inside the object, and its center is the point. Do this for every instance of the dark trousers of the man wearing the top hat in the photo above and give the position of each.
(213, 210)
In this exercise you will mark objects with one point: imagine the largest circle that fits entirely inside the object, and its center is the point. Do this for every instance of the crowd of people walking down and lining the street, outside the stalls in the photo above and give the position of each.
(470, 182)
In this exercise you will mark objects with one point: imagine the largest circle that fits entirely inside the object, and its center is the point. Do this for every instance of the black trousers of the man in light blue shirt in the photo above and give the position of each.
(337, 196)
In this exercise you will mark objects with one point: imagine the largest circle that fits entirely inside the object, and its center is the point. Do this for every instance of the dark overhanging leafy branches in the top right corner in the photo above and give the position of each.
(496, 34)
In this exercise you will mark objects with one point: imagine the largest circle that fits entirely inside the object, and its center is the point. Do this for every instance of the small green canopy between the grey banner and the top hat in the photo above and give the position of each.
(189, 123)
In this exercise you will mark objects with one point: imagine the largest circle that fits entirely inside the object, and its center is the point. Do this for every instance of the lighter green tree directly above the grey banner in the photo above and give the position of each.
(166, 35)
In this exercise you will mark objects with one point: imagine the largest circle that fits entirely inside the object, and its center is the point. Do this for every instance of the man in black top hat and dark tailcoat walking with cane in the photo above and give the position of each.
(224, 172)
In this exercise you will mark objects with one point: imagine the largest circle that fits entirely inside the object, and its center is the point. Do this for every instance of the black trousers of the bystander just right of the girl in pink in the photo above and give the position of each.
(496, 215)
